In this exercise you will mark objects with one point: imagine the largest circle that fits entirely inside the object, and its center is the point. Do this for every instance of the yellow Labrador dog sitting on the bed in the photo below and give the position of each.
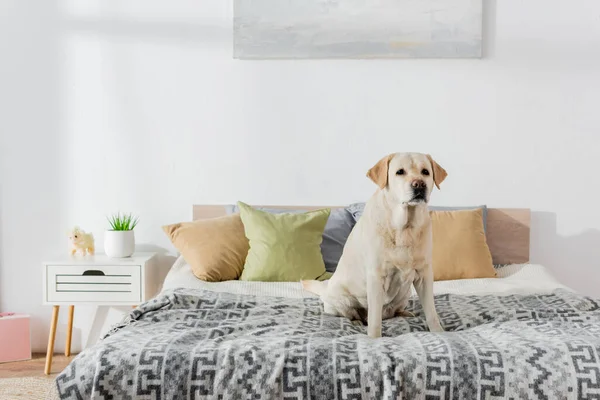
(389, 249)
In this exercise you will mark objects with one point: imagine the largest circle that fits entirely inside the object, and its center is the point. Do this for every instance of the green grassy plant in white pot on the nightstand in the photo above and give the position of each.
(119, 241)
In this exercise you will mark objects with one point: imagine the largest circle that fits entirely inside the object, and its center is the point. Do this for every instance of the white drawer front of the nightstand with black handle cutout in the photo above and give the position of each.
(97, 283)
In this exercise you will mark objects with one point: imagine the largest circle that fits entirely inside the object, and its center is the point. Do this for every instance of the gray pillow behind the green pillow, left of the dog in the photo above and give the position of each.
(338, 228)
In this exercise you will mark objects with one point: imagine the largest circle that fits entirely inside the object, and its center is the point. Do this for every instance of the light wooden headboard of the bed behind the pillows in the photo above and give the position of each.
(507, 229)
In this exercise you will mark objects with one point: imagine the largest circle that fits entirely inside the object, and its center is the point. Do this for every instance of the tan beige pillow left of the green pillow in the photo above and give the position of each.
(216, 248)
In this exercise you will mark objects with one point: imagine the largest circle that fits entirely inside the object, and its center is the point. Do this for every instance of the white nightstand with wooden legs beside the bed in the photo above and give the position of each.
(96, 280)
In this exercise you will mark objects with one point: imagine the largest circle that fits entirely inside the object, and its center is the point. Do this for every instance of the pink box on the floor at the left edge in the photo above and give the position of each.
(15, 342)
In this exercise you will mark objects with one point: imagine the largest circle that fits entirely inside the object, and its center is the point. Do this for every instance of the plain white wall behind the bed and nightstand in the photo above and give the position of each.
(138, 105)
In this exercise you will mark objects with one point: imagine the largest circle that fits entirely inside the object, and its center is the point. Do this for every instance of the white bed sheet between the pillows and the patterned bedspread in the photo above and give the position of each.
(512, 279)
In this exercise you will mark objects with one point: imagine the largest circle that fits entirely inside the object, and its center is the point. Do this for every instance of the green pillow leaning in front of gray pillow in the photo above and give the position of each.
(283, 247)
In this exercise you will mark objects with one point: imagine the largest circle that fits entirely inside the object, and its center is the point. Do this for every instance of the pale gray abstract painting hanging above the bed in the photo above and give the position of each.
(272, 29)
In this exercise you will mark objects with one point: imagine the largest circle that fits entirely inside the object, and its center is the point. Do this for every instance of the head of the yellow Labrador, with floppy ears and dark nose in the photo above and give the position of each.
(409, 177)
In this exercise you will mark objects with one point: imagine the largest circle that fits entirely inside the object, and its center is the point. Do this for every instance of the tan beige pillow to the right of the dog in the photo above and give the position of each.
(460, 250)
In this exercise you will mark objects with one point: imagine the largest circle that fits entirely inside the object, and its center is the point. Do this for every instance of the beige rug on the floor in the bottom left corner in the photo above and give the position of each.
(33, 388)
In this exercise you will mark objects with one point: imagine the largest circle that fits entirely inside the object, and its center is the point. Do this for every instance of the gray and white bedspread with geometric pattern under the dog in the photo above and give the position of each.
(195, 344)
